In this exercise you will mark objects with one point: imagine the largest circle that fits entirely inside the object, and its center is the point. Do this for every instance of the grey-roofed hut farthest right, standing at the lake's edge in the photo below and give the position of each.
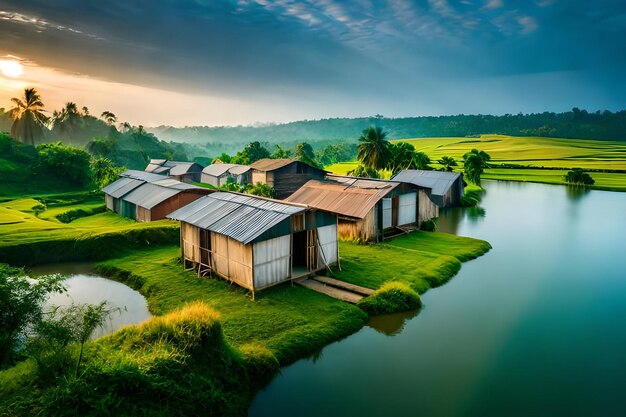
(446, 188)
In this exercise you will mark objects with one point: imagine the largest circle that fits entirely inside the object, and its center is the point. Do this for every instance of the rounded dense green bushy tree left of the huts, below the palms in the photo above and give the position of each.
(67, 162)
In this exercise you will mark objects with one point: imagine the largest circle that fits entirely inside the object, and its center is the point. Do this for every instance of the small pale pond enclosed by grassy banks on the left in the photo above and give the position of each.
(84, 286)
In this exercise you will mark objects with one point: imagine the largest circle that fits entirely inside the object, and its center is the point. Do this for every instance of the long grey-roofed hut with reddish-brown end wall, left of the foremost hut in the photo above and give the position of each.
(147, 197)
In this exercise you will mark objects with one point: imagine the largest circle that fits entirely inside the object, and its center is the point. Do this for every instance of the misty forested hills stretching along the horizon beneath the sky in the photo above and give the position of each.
(576, 124)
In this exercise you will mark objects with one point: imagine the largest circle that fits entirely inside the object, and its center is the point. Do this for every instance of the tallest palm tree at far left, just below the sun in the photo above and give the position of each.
(28, 118)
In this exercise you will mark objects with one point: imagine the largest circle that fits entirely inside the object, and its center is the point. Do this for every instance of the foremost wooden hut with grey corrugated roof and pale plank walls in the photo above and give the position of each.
(253, 241)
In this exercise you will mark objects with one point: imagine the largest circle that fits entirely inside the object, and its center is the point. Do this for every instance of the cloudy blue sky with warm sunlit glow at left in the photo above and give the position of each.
(231, 62)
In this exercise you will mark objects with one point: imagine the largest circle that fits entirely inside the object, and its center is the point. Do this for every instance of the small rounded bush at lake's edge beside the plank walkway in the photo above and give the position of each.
(391, 297)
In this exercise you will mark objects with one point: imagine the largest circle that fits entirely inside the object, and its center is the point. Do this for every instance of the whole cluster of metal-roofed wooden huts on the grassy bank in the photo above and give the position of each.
(258, 242)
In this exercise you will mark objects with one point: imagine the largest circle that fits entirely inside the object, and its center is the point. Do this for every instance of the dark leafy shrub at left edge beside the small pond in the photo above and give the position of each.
(21, 306)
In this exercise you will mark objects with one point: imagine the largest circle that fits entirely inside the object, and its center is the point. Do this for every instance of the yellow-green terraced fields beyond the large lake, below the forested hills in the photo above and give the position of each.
(529, 151)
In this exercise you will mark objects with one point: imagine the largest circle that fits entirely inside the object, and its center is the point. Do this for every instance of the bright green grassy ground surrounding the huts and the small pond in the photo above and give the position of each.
(281, 325)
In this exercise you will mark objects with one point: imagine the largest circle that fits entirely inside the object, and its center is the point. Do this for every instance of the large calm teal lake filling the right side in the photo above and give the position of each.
(536, 327)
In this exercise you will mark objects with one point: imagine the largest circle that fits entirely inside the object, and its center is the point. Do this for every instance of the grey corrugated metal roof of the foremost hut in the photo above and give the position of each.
(240, 217)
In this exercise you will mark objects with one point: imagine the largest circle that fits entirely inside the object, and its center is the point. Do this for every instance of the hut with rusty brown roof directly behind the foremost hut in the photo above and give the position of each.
(367, 209)
